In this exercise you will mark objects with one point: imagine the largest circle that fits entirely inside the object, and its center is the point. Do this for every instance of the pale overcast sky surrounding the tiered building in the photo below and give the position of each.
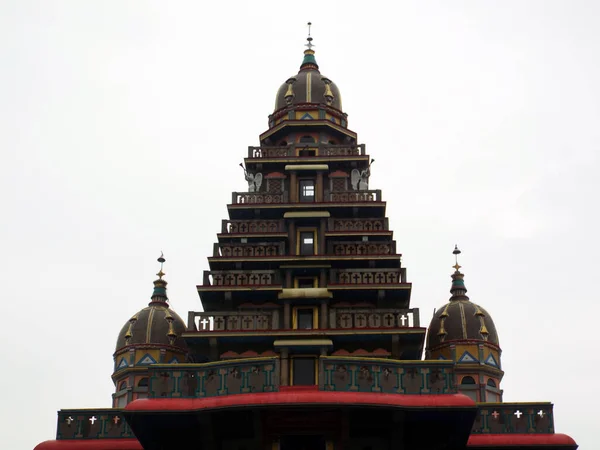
(122, 124)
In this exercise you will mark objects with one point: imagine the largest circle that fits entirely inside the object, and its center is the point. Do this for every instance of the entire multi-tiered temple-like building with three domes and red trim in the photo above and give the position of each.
(307, 338)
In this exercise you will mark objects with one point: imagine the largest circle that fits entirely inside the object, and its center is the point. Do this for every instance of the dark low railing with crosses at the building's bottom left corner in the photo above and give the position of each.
(92, 424)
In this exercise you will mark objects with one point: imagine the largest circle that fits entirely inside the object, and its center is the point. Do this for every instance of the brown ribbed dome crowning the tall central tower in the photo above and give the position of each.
(308, 86)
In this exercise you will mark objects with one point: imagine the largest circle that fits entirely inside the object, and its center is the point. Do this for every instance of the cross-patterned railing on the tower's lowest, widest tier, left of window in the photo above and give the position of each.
(233, 321)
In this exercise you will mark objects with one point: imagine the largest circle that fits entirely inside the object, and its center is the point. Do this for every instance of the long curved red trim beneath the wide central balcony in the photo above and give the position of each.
(301, 397)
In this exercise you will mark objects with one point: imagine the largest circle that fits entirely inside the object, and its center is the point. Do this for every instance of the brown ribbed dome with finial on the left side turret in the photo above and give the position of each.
(157, 324)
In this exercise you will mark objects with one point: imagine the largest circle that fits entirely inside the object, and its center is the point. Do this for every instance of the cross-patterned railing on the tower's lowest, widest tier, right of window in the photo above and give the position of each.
(373, 318)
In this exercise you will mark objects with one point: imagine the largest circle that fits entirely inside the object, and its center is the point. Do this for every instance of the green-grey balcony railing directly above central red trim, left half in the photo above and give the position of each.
(213, 379)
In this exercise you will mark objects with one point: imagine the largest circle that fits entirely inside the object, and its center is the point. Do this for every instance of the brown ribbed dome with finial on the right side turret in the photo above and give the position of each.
(460, 319)
